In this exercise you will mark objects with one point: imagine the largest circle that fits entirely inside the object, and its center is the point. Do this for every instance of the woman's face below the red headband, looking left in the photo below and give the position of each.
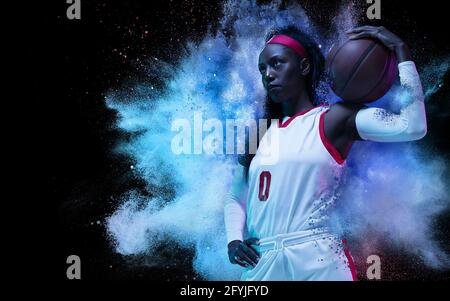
(282, 72)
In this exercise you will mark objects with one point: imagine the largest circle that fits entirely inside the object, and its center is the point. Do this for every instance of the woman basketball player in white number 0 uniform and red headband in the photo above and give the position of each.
(285, 204)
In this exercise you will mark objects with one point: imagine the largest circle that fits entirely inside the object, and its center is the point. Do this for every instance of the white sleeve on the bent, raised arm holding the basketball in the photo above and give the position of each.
(376, 124)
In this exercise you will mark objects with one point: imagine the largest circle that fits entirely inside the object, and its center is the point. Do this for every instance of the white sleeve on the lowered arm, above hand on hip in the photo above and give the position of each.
(234, 208)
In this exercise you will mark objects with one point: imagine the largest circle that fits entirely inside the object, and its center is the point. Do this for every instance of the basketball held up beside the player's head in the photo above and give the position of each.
(361, 70)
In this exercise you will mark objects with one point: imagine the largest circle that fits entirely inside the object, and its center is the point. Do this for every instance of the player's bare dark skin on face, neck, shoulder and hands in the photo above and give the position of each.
(285, 70)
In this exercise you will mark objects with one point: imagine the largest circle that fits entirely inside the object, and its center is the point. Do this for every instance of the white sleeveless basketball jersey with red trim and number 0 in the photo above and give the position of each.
(294, 192)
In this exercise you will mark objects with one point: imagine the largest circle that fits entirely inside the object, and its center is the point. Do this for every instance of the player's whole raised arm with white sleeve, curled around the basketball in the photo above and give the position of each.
(380, 125)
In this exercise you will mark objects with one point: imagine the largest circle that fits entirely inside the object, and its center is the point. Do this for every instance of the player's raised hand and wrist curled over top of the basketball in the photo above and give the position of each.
(390, 40)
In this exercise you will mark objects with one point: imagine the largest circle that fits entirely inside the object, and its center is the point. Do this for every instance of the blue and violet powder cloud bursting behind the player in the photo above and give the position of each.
(390, 189)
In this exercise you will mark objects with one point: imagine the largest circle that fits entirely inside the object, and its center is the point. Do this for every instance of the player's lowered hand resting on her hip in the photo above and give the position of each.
(242, 253)
